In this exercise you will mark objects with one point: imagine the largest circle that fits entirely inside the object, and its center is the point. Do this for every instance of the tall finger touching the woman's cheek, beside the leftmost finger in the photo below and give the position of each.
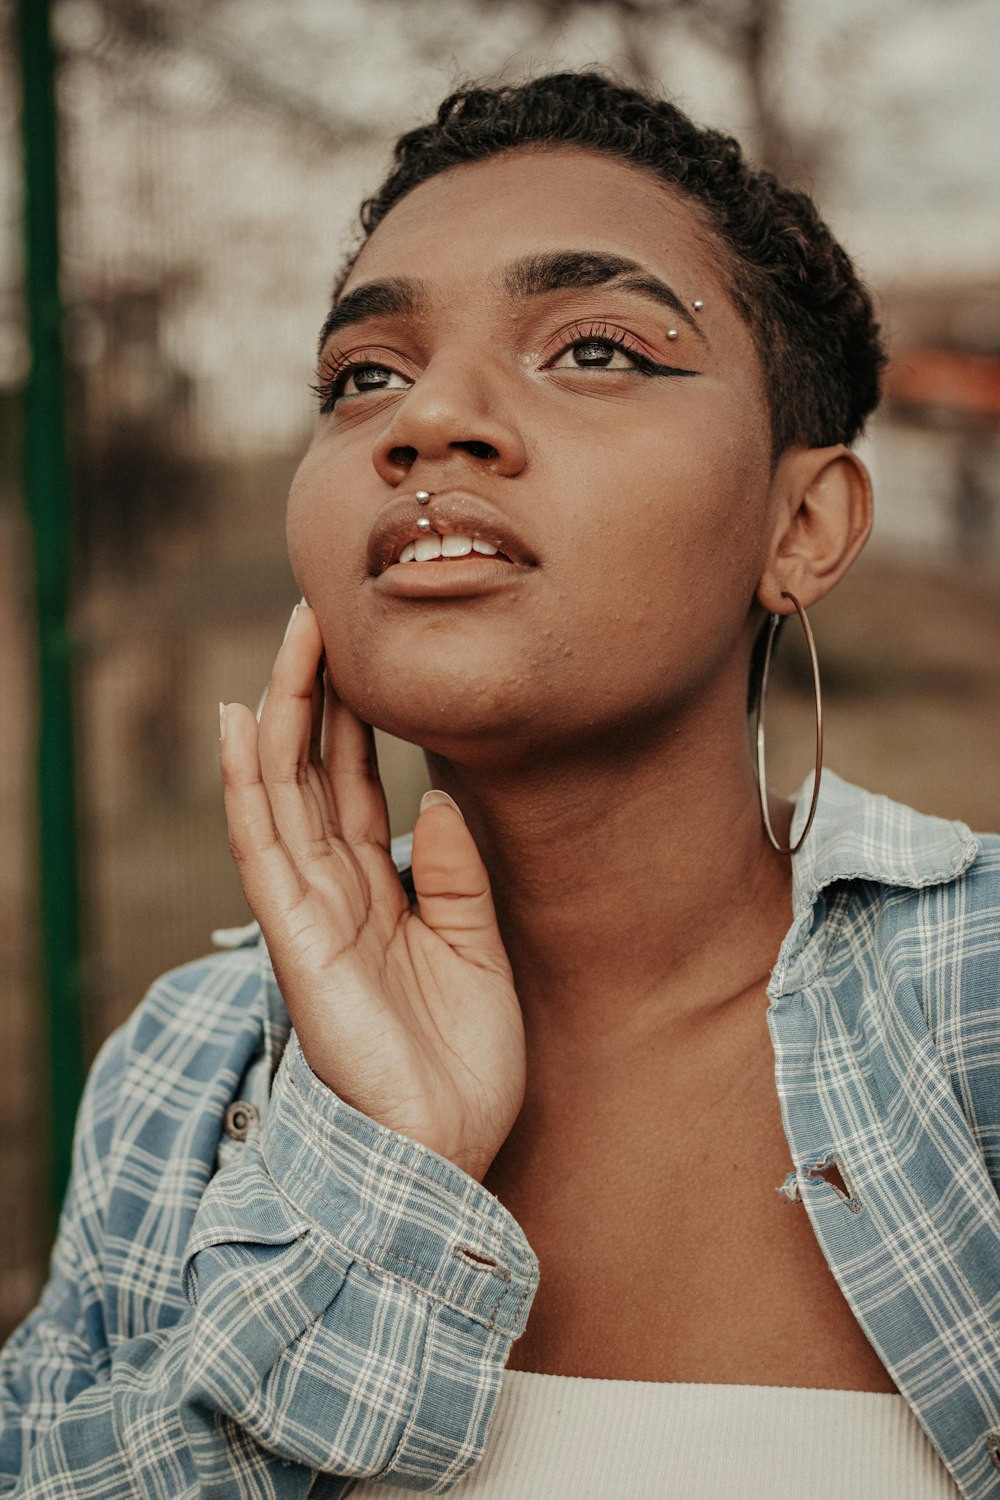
(301, 803)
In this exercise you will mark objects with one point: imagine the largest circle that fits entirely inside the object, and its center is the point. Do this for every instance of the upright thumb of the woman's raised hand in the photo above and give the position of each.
(452, 884)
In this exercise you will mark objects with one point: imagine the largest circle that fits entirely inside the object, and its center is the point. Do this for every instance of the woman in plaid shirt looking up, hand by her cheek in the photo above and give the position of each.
(587, 398)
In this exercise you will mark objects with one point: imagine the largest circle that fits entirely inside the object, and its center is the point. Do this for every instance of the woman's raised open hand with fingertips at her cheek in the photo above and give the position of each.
(410, 1016)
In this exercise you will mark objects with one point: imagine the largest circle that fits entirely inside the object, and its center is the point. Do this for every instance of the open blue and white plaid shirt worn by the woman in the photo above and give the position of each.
(329, 1300)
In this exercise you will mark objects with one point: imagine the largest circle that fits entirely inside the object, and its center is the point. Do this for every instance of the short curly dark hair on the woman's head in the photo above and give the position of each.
(795, 287)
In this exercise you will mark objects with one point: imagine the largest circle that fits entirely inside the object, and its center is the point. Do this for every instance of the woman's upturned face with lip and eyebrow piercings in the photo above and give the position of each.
(506, 341)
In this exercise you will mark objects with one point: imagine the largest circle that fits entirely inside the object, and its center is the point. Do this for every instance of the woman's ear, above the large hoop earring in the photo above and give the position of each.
(824, 518)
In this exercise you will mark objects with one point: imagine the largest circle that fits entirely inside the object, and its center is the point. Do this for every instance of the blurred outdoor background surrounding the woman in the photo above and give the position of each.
(212, 155)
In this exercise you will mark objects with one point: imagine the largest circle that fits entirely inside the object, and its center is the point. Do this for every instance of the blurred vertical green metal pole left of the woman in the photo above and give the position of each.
(49, 505)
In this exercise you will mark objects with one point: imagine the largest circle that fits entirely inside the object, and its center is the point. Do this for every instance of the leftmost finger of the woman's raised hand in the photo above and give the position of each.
(269, 877)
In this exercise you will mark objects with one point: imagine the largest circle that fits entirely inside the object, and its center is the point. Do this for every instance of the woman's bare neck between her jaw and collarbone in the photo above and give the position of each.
(641, 877)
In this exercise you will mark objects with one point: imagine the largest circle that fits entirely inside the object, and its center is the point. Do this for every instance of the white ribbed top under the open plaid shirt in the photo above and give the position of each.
(560, 1438)
